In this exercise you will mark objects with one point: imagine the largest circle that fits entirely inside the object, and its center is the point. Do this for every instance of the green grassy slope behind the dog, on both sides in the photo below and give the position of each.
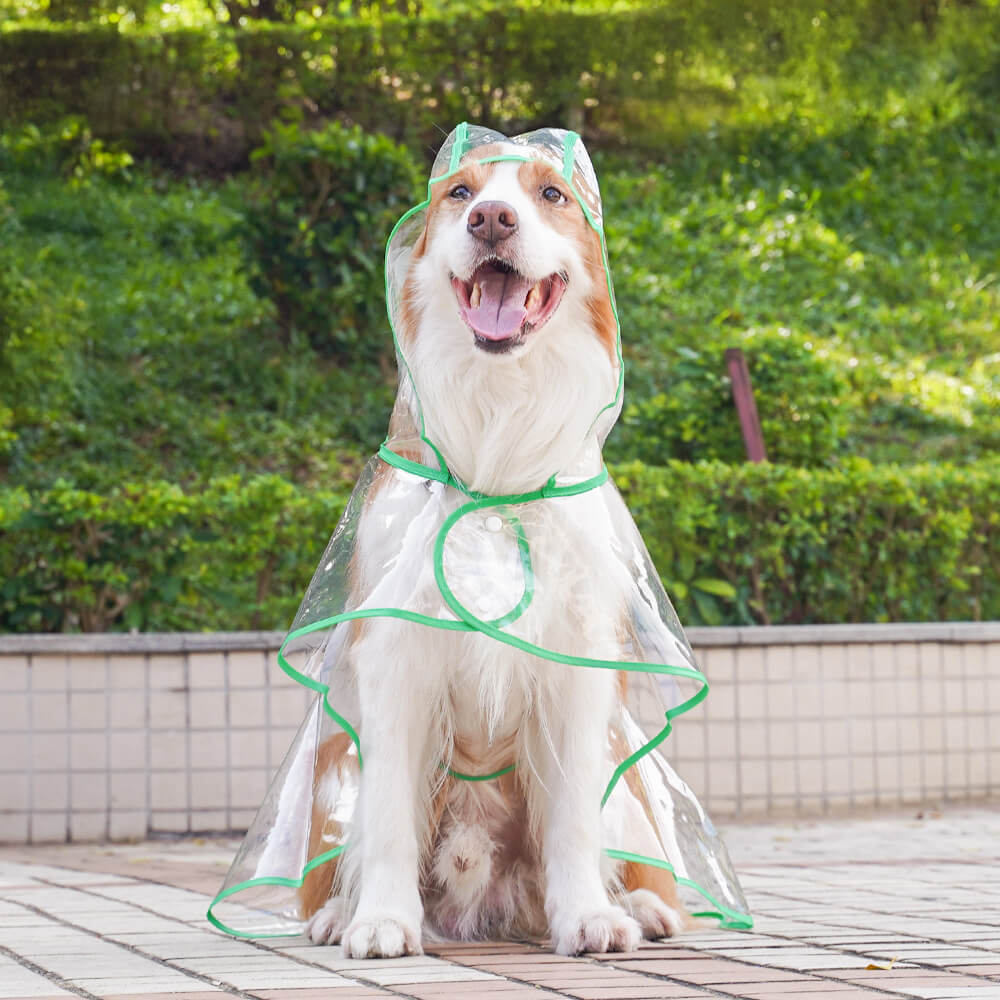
(835, 220)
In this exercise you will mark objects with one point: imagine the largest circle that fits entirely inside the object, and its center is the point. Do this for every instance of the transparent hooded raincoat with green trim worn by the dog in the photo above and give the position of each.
(478, 549)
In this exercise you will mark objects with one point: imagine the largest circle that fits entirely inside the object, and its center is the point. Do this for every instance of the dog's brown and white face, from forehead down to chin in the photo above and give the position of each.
(506, 231)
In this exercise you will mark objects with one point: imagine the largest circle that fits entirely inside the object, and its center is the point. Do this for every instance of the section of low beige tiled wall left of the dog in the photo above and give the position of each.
(114, 745)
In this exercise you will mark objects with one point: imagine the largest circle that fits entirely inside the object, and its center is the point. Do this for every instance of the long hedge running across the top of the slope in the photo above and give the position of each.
(197, 97)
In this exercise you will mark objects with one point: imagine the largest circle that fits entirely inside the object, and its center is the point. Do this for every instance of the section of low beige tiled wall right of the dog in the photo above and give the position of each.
(827, 726)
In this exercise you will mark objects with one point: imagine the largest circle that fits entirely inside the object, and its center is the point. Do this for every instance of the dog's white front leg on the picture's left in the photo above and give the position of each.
(396, 699)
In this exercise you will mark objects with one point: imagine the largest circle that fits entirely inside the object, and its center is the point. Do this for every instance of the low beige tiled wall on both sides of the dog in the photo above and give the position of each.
(121, 736)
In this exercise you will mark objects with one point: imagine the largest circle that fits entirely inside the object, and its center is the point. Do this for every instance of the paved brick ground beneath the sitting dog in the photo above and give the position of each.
(899, 906)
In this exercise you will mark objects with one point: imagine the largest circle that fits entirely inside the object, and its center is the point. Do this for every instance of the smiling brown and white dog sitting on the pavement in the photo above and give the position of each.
(510, 336)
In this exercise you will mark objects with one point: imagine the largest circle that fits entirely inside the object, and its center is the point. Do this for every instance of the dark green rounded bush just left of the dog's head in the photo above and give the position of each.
(314, 231)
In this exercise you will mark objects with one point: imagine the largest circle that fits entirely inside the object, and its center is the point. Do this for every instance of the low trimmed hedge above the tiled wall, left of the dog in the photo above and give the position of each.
(150, 556)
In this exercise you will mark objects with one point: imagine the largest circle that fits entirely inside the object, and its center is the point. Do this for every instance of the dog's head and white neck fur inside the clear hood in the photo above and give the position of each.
(502, 307)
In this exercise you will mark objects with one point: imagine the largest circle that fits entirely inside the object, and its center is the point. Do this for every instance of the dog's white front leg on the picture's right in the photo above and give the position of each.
(581, 917)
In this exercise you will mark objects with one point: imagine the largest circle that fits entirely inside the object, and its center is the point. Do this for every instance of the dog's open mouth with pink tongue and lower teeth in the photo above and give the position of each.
(502, 307)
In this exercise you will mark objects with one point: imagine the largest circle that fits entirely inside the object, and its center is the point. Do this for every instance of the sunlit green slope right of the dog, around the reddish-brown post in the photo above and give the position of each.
(848, 227)
